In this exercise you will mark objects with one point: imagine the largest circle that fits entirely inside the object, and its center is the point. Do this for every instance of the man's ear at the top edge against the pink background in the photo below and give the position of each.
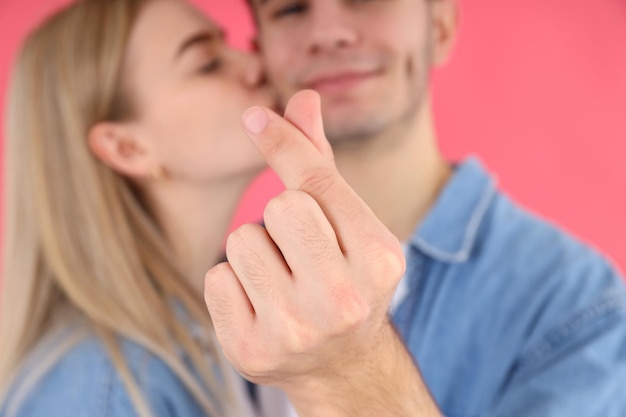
(445, 21)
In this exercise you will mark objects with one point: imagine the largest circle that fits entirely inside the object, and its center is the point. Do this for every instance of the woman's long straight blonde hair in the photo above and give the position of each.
(76, 235)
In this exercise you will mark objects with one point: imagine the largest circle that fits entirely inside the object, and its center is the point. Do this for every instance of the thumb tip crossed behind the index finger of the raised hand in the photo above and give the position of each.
(304, 110)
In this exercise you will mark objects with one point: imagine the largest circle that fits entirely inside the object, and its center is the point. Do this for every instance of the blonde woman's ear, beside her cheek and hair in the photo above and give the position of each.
(116, 146)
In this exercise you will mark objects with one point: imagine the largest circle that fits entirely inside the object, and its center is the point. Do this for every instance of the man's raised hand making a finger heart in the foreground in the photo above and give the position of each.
(302, 303)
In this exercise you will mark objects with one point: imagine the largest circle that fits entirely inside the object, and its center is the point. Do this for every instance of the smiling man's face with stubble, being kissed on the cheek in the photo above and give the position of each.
(369, 59)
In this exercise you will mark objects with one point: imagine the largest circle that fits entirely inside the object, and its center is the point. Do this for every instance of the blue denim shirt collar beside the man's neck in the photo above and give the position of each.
(448, 232)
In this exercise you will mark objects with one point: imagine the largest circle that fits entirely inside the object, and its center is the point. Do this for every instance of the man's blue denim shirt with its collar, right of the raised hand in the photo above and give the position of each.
(506, 315)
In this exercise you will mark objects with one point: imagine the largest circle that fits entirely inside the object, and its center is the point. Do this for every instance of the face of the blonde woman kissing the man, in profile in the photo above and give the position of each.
(189, 90)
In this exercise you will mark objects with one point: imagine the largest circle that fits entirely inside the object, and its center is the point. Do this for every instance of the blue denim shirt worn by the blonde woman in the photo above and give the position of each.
(85, 383)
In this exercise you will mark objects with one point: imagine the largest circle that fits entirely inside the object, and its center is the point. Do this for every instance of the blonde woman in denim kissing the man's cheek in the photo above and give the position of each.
(125, 162)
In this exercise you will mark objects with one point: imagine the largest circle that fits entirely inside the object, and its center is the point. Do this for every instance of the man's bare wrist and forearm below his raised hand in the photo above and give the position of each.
(381, 380)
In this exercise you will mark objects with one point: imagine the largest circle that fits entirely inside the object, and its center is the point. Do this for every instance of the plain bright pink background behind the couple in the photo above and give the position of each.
(537, 88)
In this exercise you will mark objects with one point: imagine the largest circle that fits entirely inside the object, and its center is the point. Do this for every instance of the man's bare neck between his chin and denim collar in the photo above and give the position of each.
(400, 182)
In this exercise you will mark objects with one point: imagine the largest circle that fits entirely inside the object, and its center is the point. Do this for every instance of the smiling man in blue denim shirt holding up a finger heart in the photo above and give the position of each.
(503, 314)
